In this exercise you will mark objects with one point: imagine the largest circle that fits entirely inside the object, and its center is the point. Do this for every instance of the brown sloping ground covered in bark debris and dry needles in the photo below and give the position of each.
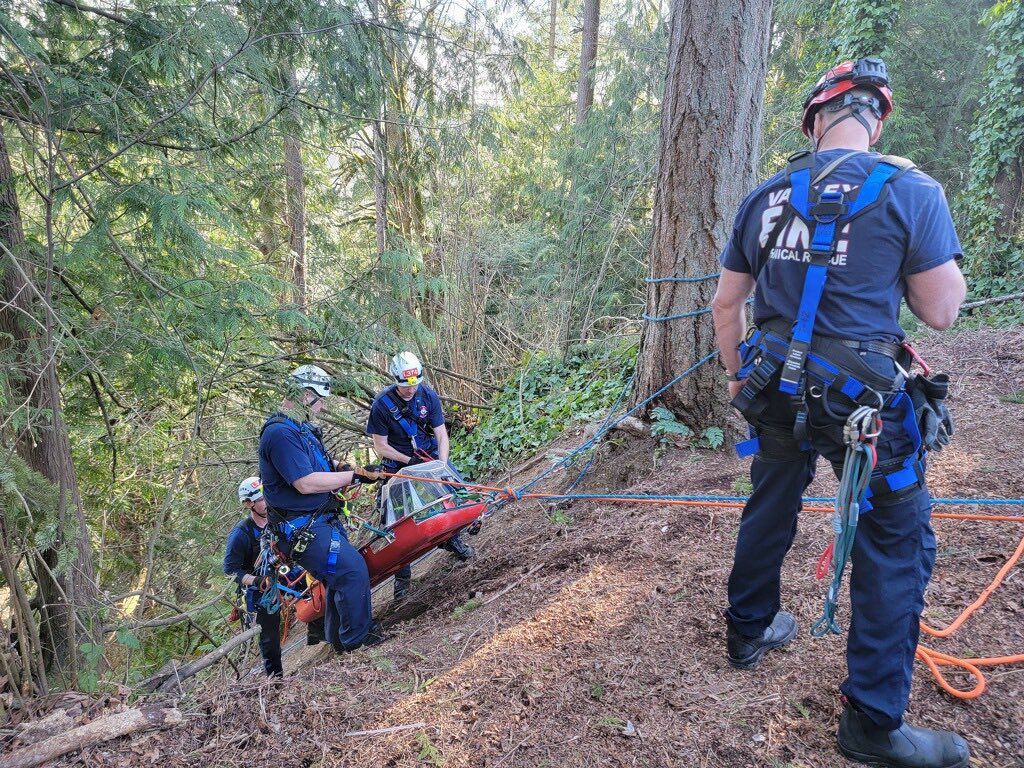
(593, 636)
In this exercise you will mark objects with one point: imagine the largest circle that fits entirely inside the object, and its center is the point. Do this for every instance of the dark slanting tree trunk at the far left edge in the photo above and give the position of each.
(67, 592)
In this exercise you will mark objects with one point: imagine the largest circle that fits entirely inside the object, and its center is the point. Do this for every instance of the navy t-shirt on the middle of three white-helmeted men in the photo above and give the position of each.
(288, 452)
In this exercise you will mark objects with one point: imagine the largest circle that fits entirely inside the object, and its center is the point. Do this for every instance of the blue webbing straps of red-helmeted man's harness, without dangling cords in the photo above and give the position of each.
(766, 352)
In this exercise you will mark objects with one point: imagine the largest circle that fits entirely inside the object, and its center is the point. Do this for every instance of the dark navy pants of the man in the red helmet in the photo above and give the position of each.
(892, 560)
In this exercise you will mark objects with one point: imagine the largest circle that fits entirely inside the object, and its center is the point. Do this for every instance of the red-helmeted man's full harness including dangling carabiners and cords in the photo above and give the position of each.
(804, 366)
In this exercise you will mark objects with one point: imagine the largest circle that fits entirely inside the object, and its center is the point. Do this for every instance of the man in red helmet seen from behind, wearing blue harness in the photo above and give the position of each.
(830, 248)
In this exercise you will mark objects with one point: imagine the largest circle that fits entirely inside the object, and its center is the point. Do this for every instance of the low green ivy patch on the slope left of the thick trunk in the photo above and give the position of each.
(537, 405)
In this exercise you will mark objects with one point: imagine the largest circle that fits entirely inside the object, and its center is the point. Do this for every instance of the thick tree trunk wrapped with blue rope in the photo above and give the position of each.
(708, 159)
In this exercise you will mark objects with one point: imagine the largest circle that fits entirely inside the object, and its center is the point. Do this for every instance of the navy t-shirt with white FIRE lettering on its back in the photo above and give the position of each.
(910, 232)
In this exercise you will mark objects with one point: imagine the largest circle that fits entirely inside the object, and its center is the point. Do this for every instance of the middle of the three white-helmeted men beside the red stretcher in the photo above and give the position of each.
(301, 481)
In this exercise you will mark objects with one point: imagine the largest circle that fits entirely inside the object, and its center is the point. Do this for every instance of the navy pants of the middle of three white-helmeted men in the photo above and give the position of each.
(350, 613)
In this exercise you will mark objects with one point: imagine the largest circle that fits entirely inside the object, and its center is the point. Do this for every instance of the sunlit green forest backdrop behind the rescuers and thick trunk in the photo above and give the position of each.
(197, 197)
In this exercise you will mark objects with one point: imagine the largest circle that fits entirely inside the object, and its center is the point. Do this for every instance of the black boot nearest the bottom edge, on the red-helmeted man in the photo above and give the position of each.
(863, 741)
